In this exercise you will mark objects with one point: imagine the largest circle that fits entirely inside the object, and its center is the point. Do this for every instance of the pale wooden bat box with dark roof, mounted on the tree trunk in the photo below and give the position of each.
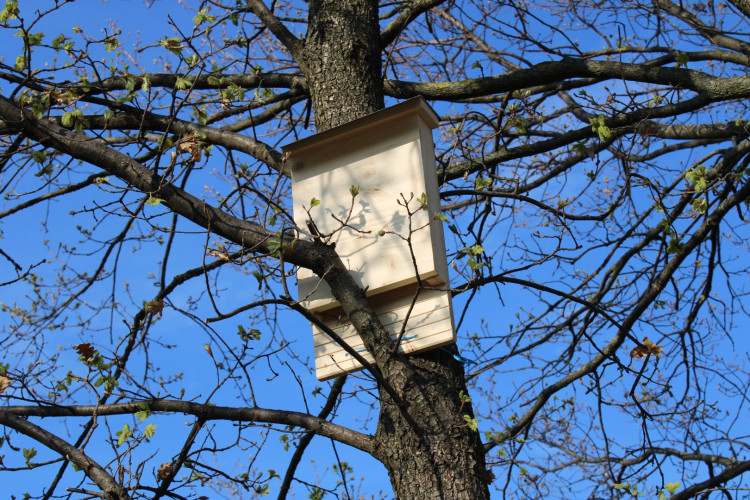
(389, 155)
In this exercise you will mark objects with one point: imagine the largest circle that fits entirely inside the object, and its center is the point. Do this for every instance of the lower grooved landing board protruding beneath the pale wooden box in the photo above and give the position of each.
(430, 325)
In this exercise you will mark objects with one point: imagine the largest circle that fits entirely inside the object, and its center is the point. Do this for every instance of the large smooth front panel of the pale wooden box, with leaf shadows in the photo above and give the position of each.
(372, 234)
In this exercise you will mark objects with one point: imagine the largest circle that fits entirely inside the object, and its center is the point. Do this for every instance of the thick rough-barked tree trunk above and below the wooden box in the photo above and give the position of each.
(427, 446)
